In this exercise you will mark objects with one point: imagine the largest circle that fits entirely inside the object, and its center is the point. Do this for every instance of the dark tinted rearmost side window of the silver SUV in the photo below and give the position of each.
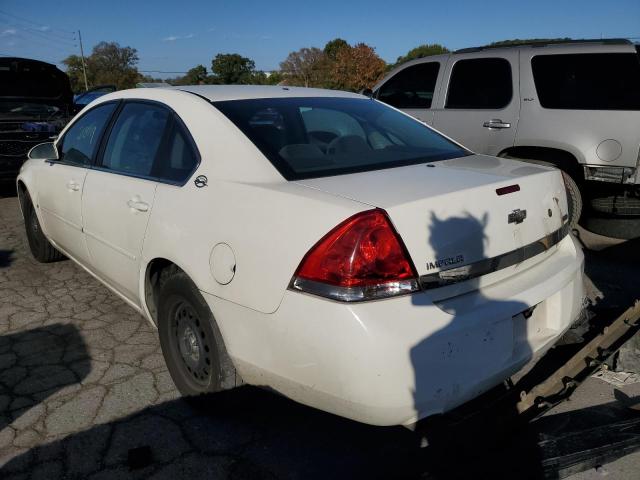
(588, 81)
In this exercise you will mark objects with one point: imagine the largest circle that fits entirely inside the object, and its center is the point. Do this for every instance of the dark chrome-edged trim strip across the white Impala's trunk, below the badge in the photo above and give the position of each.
(494, 264)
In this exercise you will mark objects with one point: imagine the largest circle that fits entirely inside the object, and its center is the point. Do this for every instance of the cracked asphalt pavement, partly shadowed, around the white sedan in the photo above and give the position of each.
(85, 393)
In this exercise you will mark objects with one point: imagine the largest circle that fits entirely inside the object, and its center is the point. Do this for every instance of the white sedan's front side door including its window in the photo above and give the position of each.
(61, 183)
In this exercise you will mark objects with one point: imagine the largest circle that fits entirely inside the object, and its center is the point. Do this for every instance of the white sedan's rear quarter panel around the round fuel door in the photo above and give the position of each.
(268, 222)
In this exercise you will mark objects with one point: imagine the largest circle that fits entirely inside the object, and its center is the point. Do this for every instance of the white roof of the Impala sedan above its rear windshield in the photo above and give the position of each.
(216, 93)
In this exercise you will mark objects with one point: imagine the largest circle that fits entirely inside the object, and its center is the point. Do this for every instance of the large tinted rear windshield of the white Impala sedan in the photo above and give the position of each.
(324, 136)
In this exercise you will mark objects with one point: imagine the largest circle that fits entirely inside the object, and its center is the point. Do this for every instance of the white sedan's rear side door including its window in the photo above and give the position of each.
(120, 191)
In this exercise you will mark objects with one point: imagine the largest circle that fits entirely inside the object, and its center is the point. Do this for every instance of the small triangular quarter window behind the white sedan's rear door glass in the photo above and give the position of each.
(180, 159)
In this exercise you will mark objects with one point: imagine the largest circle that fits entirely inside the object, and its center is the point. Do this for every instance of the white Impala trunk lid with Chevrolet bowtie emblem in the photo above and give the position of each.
(449, 214)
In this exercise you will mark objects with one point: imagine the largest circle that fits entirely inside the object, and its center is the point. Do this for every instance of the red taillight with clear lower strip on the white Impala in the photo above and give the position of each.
(363, 258)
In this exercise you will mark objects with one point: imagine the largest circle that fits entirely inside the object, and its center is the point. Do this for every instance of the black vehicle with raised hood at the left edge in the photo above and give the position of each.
(36, 102)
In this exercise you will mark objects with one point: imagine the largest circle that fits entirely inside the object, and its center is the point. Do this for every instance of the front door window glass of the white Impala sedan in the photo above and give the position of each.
(80, 141)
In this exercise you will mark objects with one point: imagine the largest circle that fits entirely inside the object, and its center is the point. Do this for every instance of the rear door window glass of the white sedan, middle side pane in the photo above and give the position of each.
(135, 139)
